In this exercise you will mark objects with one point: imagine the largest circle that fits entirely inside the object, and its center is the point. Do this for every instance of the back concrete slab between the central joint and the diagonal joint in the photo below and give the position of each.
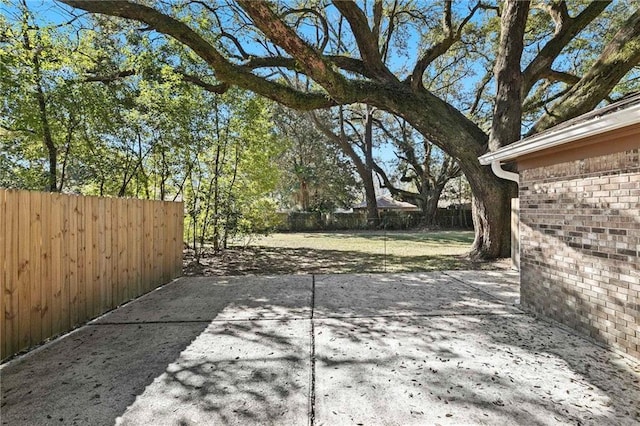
(409, 294)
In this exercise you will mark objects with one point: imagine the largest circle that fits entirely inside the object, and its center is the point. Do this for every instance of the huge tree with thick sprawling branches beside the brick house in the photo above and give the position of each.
(537, 63)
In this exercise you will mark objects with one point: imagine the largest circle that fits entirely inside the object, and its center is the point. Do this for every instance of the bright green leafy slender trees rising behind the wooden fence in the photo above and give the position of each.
(71, 122)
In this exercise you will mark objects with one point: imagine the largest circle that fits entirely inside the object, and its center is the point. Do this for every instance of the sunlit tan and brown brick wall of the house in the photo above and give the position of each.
(580, 242)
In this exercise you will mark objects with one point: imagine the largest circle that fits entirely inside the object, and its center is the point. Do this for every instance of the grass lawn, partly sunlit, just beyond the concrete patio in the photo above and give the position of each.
(345, 252)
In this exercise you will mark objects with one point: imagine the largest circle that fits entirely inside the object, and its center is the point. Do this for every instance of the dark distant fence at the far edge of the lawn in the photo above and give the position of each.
(316, 221)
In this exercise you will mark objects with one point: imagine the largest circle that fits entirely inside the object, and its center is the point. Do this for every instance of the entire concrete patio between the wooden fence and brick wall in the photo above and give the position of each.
(390, 349)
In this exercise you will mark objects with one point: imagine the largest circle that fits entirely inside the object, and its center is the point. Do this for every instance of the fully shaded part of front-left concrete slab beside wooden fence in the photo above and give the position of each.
(90, 376)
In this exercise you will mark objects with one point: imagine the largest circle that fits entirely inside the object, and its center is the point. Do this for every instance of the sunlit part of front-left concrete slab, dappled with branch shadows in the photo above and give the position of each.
(244, 373)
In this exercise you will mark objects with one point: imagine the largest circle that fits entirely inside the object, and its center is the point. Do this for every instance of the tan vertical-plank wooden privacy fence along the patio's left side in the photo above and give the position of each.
(65, 259)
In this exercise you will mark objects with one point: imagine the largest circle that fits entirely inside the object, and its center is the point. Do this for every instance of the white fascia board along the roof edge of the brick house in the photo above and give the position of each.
(595, 126)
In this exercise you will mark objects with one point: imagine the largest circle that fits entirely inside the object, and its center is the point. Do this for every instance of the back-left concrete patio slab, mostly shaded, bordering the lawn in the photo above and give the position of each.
(220, 298)
